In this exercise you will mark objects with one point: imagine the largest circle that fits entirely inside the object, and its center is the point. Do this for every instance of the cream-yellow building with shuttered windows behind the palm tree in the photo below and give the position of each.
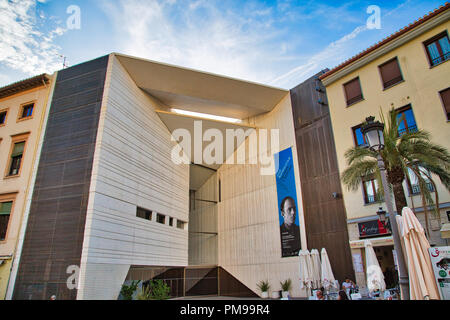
(408, 71)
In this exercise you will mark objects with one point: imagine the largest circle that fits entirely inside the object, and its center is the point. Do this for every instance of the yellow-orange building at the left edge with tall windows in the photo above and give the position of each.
(23, 106)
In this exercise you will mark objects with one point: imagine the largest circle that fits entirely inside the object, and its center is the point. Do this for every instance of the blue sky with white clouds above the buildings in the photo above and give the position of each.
(279, 43)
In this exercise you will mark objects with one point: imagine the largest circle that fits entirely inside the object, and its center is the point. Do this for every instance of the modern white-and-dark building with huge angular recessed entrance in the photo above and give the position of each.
(123, 187)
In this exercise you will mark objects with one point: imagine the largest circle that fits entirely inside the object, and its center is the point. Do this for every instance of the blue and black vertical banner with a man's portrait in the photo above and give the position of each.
(287, 203)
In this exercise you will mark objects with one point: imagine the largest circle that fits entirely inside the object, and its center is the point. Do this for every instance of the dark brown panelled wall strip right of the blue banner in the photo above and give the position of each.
(325, 216)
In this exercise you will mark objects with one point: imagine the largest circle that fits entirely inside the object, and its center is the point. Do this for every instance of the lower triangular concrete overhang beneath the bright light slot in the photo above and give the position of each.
(201, 171)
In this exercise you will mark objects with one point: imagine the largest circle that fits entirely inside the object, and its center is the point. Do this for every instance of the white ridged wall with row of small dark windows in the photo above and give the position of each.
(132, 167)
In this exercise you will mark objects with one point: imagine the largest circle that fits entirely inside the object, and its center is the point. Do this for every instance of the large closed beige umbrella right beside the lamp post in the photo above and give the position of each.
(421, 279)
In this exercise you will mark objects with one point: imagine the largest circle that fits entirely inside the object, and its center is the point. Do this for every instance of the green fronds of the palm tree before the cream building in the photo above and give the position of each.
(412, 150)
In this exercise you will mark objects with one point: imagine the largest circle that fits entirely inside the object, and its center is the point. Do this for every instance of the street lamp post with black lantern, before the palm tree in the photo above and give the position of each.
(373, 133)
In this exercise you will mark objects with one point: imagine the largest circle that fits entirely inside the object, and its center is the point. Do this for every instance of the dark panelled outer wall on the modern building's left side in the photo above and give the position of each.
(55, 229)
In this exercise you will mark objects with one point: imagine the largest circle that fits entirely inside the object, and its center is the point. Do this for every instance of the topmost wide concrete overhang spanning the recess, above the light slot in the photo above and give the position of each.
(202, 92)
